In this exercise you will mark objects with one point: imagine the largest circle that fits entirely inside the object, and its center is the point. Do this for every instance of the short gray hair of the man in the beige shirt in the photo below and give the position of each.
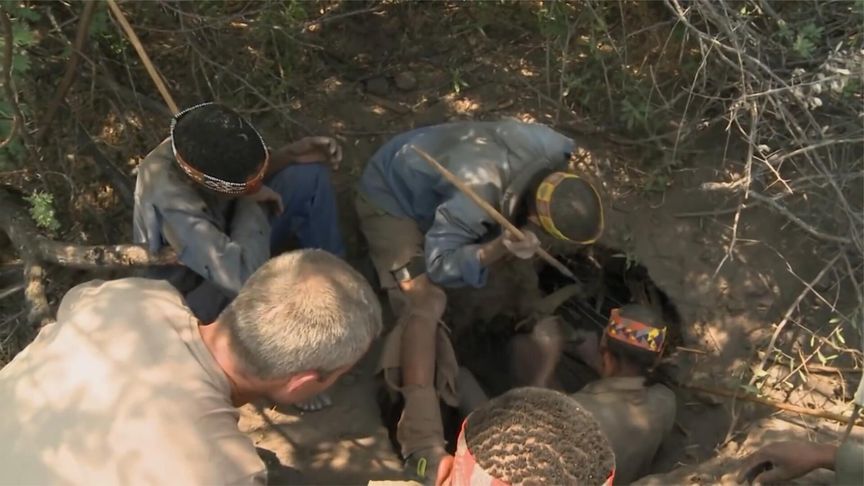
(306, 310)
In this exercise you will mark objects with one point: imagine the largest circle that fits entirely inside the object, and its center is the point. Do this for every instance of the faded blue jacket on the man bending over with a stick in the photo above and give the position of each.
(487, 156)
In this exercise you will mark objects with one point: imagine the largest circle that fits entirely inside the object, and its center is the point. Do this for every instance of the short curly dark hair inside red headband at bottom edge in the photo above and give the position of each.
(539, 436)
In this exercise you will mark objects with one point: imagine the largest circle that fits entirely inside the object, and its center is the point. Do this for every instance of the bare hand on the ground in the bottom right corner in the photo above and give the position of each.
(781, 462)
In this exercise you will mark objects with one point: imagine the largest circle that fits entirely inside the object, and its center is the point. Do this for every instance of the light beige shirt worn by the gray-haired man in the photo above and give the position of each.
(121, 390)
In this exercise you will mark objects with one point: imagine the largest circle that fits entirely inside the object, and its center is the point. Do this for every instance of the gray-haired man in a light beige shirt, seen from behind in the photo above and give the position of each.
(129, 387)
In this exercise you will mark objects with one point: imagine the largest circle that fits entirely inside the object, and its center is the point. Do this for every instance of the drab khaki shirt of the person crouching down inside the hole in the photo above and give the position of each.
(634, 418)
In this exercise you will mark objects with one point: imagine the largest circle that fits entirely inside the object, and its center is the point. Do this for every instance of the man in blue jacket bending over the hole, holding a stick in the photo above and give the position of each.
(424, 234)
